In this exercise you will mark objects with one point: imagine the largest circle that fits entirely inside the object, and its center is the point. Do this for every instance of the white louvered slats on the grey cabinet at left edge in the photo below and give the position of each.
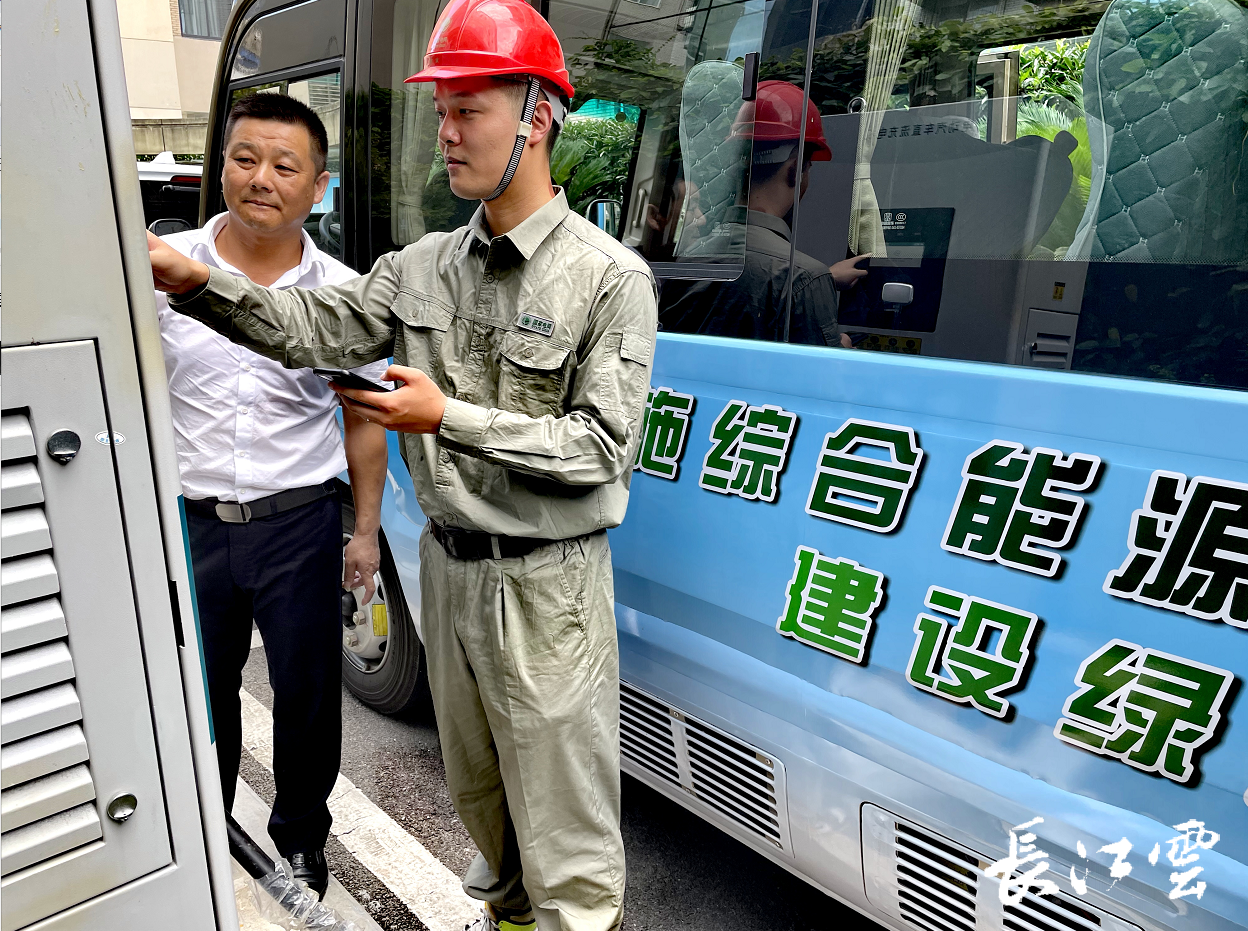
(47, 799)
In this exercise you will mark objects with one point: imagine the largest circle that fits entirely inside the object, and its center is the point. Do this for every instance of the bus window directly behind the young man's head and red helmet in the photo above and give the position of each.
(622, 157)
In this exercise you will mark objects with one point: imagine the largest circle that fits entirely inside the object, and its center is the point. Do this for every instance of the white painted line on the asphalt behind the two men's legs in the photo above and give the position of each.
(396, 858)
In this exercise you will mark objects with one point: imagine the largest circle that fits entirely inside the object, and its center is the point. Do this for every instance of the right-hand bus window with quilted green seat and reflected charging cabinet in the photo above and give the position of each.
(1058, 187)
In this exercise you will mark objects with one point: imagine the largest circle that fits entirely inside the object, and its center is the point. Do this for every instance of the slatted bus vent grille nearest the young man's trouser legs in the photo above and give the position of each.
(722, 778)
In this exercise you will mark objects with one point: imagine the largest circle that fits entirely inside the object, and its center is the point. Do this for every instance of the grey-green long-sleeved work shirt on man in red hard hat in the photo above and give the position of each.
(541, 339)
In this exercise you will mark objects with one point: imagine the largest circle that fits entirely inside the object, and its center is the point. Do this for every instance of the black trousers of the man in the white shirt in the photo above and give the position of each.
(285, 572)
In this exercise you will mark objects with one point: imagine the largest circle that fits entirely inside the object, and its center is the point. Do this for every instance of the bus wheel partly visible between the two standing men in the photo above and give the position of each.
(383, 656)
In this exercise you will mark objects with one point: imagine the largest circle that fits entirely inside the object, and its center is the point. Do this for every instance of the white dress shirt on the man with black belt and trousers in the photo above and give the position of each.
(245, 426)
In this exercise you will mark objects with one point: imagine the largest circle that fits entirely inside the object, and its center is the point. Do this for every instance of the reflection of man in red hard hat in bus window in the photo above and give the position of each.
(756, 306)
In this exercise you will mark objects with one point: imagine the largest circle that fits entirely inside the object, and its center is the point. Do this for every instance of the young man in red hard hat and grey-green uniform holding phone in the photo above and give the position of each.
(524, 343)
